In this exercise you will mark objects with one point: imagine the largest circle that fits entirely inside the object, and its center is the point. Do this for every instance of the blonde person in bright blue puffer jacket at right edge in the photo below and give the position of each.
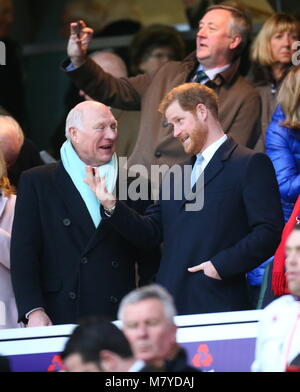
(283, 148)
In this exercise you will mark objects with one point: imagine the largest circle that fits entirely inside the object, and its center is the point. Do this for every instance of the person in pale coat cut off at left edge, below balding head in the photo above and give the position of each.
(8, 311)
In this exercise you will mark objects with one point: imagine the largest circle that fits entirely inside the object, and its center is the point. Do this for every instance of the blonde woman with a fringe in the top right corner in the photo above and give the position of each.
(271, 56)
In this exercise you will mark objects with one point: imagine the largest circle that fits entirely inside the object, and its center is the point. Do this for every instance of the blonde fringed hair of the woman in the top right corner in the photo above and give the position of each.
(261, 51)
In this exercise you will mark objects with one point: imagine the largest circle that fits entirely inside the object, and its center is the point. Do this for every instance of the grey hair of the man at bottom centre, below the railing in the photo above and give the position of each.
(153, 291)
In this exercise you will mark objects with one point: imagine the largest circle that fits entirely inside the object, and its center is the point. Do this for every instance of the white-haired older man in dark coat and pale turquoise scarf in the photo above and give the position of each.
(66, 262)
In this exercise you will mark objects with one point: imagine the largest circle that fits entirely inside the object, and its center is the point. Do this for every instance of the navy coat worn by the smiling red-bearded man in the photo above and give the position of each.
(238, 228)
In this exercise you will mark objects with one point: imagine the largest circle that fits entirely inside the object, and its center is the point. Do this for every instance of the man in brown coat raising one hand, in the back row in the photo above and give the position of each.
(223, 32)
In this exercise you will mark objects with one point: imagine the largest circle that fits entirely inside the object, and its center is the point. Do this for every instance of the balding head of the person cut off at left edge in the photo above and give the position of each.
(11, 139)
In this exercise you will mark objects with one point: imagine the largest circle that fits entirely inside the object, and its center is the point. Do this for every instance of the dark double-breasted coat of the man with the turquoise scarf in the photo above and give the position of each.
(60, 261)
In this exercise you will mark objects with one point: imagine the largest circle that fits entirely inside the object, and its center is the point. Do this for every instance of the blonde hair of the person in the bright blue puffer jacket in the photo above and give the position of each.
(289, 98)
